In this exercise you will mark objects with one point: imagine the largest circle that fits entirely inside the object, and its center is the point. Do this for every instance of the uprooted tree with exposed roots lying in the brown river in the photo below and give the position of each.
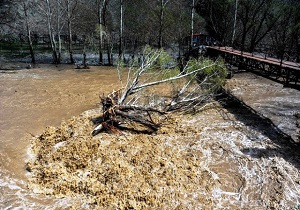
(137, 107)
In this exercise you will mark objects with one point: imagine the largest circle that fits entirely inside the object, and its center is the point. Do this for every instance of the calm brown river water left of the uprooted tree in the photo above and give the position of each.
(32, 100)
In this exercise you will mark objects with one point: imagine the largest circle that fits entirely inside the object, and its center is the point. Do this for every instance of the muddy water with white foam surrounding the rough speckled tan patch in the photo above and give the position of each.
(242, 148)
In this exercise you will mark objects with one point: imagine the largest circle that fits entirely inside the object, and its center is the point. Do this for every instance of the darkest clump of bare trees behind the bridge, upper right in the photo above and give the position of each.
(248, 25)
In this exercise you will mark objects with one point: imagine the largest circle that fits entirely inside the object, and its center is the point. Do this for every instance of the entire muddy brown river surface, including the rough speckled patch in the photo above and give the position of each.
(226, 156)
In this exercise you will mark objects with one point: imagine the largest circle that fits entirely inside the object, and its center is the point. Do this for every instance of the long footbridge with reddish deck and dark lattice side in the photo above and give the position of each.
(285, 72)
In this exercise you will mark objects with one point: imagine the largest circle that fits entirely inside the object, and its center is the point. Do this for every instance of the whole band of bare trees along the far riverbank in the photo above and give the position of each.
(107, 26)
